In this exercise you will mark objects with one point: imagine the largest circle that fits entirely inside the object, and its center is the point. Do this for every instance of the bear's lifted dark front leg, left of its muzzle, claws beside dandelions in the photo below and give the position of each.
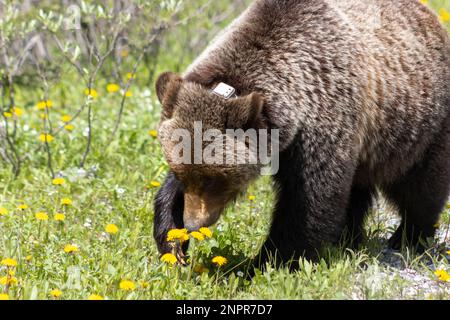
(169, 207)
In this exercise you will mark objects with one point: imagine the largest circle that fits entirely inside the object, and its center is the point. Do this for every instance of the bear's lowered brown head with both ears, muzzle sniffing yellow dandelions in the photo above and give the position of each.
(191, 121)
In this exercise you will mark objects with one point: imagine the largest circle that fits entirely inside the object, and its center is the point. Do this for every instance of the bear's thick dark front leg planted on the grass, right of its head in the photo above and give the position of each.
(313, 188)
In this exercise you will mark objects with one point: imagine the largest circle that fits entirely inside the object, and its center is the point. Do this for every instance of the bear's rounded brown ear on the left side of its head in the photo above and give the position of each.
(167, 87)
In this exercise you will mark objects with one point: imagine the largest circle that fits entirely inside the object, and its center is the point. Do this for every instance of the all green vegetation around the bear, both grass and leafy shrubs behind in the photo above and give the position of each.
(111, 176)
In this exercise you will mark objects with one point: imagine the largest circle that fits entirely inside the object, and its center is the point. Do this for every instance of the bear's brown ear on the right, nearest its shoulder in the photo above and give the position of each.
(244, 112)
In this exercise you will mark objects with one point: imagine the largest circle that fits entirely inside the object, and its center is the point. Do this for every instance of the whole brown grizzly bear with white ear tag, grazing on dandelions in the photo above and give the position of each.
(360, 94)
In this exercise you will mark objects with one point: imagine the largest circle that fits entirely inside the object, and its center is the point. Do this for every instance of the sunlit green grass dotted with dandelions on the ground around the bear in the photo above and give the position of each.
(115, 188)
